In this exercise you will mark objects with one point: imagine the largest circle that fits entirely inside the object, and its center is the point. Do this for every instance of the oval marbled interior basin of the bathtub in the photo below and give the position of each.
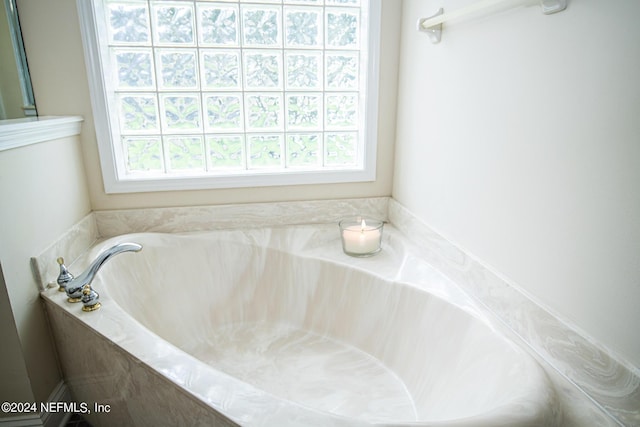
(326, 335)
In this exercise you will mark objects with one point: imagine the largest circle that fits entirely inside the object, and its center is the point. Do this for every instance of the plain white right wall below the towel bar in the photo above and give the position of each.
(518, 138)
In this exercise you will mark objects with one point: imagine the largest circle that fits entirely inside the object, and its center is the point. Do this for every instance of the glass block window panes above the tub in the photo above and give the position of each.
(236, 88)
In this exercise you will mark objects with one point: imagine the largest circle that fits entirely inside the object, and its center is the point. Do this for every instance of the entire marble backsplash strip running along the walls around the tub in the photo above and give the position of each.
(590, 377)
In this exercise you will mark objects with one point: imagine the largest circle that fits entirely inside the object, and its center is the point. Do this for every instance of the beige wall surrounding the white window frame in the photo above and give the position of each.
(54, 49)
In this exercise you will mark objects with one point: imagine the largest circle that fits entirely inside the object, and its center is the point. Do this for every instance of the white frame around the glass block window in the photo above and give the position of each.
(114, 182)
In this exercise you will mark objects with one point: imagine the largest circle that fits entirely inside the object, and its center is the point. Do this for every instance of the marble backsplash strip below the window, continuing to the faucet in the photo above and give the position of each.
(103, 224)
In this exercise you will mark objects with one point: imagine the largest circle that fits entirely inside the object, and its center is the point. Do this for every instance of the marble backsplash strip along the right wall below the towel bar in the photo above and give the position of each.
(611, 384)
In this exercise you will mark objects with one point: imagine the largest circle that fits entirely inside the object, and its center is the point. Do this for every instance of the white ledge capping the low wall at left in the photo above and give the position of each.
(33, 130)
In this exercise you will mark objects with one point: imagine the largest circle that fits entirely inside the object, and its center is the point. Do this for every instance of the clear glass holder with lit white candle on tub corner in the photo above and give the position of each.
(361, 237)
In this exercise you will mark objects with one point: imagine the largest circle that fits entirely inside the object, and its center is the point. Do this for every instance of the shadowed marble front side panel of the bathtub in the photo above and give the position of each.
(104, 373)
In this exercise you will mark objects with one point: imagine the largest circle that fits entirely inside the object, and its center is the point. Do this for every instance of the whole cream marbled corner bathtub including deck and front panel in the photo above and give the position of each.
(277, 327)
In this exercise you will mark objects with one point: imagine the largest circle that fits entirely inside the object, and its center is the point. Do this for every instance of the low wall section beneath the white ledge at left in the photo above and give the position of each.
(43, 193)
